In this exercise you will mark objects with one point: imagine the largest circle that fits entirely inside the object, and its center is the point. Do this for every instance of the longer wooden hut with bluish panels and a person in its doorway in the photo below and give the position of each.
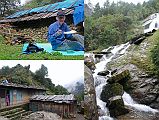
(15, 94)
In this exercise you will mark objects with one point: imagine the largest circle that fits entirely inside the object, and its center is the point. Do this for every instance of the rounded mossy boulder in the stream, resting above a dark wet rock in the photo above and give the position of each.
(111, 90)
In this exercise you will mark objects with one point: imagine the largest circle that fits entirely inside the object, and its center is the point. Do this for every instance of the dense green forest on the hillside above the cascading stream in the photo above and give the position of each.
(116, 23)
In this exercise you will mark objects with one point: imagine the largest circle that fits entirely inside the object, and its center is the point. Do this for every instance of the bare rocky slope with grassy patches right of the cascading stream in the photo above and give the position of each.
(143, 84)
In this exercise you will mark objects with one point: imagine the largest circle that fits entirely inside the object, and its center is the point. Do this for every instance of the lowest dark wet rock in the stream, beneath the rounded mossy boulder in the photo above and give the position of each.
(116, 106)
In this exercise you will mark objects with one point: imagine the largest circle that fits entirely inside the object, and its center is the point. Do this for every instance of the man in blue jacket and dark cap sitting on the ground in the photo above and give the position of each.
(58, 39)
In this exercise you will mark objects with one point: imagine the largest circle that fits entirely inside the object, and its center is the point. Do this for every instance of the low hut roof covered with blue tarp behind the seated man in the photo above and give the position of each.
(45, 15)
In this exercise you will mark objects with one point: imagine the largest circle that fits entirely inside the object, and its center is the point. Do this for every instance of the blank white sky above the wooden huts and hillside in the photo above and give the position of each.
(61, 72)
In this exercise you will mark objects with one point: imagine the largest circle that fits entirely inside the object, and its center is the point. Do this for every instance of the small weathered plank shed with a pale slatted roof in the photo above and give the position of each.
(63, 105)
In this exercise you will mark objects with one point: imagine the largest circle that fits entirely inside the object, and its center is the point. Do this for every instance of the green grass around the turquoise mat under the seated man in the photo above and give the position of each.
(8, 52)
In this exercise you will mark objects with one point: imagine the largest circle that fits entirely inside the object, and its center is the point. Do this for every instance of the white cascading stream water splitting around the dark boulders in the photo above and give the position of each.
(101, 81)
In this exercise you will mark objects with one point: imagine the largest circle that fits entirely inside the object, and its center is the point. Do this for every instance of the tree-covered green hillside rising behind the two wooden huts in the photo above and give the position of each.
(23, 75)
